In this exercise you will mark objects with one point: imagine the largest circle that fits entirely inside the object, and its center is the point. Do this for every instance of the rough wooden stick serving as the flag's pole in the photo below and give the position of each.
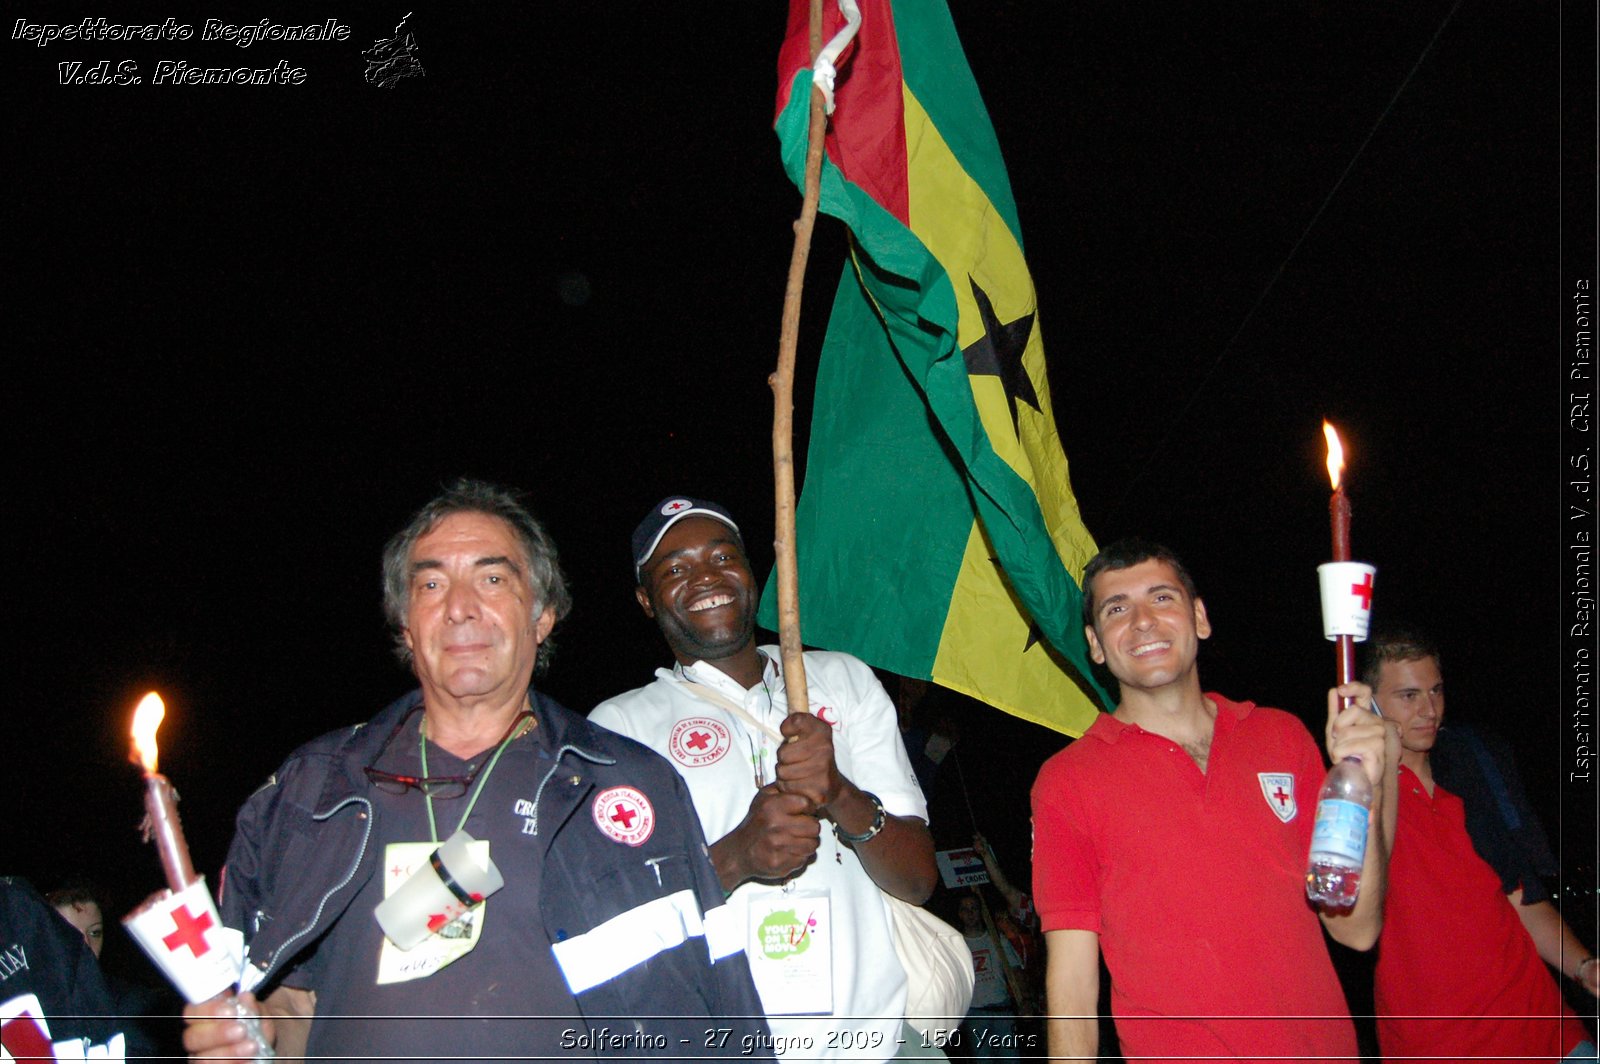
(783, 385)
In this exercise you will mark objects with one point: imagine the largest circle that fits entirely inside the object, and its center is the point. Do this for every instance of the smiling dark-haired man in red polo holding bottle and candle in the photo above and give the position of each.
(1174, 839)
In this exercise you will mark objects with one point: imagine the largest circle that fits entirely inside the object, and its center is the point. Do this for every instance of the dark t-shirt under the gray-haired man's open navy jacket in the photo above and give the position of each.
(465, 1007)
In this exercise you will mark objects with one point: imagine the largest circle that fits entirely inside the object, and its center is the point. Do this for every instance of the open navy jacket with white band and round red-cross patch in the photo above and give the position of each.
(306, 846)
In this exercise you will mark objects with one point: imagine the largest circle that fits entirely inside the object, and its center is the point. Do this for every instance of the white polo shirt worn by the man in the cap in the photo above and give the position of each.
(722, 756)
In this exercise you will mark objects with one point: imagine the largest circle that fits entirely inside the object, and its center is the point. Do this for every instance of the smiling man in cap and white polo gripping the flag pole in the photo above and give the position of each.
(809, 897)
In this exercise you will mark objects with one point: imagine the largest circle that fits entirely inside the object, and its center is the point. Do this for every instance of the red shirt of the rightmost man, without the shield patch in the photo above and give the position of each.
(1458, 974)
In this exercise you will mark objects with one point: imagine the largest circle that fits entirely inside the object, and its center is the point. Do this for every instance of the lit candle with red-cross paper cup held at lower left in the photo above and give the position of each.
(180, 927)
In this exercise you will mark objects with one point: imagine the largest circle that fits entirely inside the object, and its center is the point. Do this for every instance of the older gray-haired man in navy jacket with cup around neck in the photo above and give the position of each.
(607, 935)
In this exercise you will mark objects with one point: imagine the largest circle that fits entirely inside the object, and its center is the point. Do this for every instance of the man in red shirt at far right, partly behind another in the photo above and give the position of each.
(1462, 962)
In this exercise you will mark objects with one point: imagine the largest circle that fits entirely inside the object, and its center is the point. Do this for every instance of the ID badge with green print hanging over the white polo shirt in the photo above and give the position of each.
(791, 950)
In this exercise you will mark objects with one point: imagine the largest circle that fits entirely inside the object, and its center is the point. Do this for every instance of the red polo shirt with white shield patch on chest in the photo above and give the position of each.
(1196, 884)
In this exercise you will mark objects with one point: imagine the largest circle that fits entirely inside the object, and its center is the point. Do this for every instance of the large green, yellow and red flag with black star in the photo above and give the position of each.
(937, 535)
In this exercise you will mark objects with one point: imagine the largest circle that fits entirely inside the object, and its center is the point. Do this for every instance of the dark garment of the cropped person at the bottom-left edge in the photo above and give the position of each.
(44, 956)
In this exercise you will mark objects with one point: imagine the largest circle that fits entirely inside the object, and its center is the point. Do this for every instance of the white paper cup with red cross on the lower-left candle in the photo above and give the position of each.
(186, 940)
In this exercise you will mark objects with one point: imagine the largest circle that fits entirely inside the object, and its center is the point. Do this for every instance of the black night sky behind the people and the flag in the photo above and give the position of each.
(254, 327)
